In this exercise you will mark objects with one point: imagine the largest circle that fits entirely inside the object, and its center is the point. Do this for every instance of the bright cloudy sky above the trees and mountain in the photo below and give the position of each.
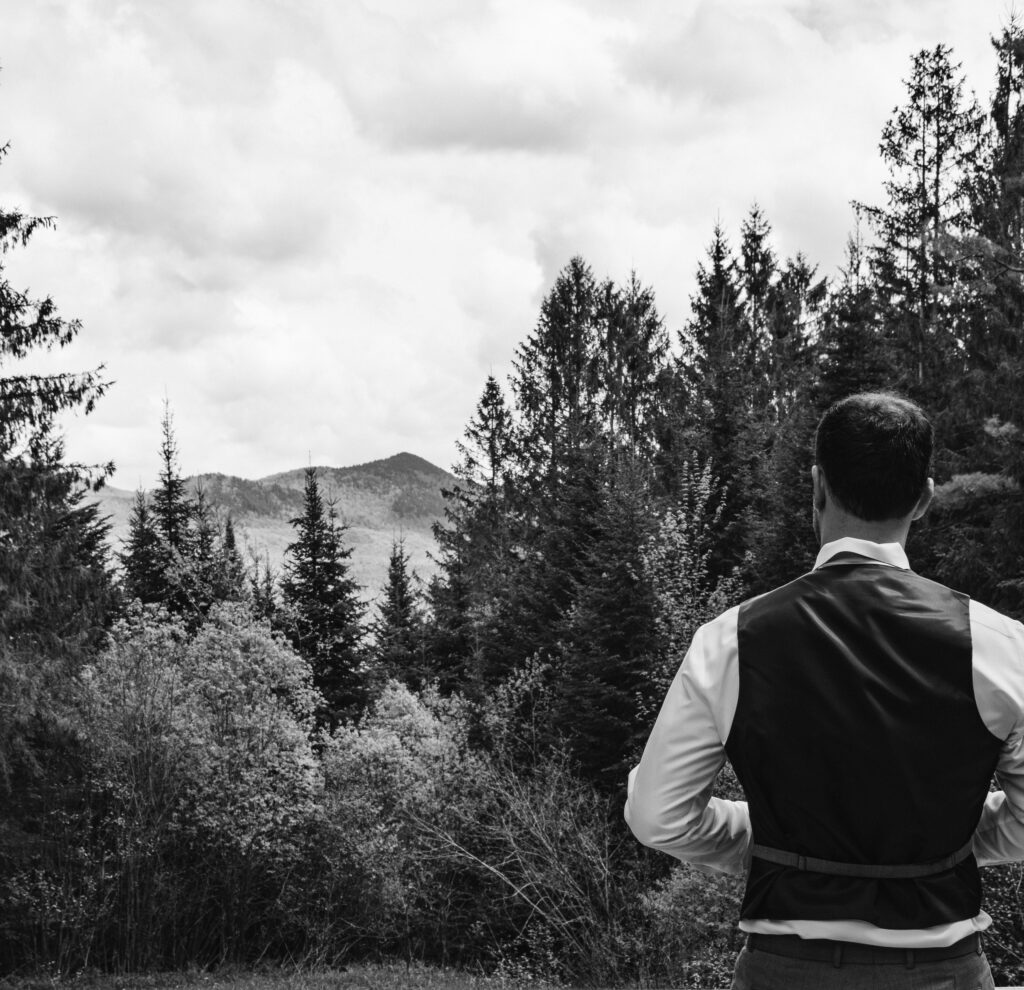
(314, 228)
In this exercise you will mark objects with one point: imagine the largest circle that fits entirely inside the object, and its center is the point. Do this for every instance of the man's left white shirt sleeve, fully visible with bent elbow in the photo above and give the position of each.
(669, 805)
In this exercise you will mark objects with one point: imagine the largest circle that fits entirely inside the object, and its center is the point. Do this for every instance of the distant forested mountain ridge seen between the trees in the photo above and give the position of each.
(379, 501)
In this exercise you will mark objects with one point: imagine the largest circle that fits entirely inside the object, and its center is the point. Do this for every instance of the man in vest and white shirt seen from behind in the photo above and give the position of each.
(865, 710)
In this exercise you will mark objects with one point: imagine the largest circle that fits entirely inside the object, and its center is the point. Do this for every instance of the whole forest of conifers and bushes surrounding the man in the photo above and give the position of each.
(205, 762)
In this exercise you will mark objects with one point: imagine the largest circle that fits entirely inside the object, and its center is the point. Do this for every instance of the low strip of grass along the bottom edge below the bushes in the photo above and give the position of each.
(358, 977)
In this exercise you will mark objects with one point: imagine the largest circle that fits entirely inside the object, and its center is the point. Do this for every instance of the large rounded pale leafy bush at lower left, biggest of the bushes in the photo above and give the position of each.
(198, 788)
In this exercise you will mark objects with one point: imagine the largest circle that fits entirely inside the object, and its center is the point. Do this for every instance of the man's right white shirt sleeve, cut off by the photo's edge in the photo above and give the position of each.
(999, 687)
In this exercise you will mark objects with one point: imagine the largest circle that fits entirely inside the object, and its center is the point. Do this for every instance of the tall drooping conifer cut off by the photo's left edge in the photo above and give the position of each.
(56, 591)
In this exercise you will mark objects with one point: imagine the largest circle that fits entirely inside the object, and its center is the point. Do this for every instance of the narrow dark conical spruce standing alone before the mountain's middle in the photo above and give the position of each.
(323, 609)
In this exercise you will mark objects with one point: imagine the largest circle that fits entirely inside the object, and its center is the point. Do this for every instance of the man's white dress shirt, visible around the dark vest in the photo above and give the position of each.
(670, 808)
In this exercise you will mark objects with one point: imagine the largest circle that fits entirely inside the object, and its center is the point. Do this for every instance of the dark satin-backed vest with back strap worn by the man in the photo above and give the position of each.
(858, 740)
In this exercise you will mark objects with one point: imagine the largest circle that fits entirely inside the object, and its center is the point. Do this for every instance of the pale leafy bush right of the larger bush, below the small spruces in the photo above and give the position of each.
(405, 774)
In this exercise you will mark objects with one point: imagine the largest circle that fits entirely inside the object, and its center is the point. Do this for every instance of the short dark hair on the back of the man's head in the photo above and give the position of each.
(876, 452)
